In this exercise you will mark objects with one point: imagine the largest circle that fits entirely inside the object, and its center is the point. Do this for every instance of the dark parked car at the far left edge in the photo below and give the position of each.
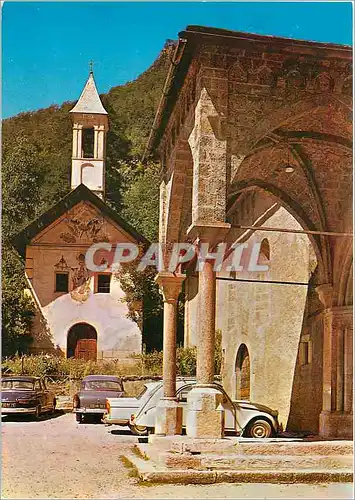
(24, 395)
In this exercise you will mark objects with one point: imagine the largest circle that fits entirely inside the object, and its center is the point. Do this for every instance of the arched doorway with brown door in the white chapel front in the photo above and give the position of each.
(82, 342)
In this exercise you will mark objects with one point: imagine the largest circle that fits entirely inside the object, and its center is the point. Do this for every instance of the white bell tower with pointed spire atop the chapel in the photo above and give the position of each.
(90, 125)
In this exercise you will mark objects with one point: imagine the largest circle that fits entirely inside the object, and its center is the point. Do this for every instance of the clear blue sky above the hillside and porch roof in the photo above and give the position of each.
(47, 46)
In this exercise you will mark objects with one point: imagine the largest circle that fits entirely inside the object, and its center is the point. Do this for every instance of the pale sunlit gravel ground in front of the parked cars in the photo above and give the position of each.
(58, 458)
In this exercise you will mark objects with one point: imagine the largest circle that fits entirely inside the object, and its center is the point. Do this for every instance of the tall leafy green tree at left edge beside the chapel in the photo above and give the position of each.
(21, 181)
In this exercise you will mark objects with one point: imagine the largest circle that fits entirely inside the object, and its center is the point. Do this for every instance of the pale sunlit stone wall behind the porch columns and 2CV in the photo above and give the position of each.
(268, 319)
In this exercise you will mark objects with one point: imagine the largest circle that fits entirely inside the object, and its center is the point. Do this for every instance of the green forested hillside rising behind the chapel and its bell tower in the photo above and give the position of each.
(36, 174)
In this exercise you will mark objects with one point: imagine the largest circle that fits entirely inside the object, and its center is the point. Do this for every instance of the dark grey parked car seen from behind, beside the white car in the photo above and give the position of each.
(91, 399)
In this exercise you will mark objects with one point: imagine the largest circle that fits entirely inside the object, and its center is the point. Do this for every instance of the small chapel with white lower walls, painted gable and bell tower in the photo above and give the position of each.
(80, 313)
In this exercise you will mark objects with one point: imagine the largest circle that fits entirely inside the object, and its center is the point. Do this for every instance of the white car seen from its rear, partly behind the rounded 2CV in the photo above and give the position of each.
(120, 411)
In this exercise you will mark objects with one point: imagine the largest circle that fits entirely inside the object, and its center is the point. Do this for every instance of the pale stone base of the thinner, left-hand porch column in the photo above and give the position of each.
(168, 419)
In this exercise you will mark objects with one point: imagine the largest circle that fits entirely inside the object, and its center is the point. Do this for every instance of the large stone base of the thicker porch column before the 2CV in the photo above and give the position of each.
(205, 414)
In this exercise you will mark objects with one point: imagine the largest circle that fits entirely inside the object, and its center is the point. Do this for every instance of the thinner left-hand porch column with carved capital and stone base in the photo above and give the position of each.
(169, 414)
